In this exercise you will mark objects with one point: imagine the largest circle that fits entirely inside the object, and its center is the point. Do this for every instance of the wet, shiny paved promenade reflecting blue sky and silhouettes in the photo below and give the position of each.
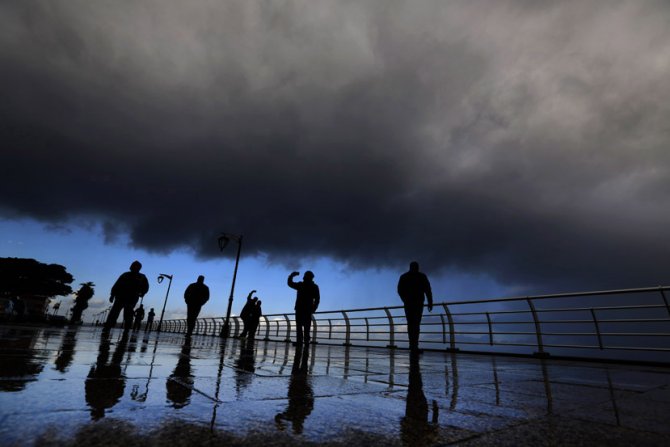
(75, 387)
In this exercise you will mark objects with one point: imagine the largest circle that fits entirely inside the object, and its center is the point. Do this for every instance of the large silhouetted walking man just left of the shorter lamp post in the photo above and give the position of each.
(126, 291)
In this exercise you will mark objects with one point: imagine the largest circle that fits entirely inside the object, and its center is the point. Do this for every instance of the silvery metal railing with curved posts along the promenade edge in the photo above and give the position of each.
(611, 323)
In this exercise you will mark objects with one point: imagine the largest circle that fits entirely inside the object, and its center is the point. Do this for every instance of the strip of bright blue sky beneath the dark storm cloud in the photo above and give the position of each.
(87, 257)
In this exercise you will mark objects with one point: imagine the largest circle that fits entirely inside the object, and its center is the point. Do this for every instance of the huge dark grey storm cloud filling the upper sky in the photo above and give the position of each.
(528, 141)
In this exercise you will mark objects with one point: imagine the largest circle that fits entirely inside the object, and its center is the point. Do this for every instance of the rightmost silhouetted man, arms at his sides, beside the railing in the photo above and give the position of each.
(413, 287)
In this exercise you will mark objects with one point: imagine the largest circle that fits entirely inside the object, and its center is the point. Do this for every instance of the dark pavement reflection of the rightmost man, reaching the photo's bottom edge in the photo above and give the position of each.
(414, 427)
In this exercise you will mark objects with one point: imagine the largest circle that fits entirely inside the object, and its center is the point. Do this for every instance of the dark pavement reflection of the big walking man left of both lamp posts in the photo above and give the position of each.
(105, 382)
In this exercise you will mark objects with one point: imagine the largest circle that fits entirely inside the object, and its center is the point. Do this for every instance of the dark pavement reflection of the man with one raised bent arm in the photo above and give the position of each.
(300, 394)
